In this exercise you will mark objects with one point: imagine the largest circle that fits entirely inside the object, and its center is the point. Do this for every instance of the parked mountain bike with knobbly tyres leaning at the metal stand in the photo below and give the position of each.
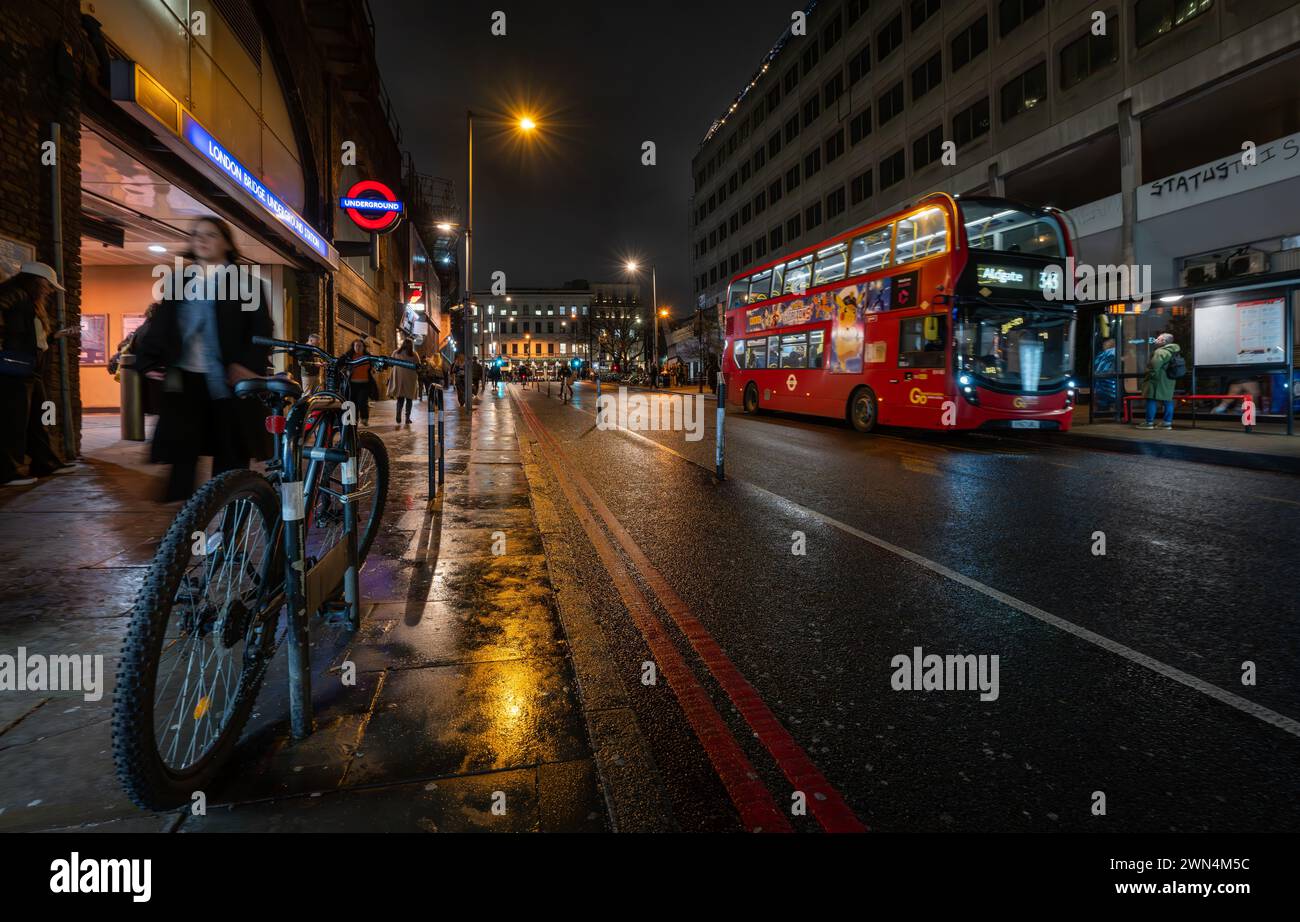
(246, 564)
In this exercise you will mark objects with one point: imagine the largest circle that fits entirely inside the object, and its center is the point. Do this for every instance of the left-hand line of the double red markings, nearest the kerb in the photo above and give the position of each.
(753, 800)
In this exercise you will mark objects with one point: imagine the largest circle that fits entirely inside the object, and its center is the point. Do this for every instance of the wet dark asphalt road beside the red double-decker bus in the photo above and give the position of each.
(1120, 674)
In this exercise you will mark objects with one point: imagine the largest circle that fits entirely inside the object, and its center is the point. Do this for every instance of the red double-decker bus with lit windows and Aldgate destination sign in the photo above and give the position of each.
(935, 318)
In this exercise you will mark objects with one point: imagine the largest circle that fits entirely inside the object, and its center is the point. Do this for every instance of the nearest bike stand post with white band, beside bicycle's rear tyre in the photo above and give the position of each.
(292, 512)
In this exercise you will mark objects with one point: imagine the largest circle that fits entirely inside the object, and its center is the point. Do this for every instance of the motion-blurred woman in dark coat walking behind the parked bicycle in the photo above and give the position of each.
(205, 347)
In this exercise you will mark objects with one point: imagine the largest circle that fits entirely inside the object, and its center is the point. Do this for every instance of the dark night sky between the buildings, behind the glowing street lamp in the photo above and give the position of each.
(601, 79)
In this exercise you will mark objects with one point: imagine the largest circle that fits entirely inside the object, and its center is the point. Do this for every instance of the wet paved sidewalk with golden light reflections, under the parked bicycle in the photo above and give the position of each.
(465, 715)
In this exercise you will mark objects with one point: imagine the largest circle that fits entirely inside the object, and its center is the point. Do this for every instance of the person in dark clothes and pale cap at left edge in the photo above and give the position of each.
(25, 334)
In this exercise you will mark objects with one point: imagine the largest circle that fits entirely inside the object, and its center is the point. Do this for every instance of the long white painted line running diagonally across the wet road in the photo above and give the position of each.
(1245, 705)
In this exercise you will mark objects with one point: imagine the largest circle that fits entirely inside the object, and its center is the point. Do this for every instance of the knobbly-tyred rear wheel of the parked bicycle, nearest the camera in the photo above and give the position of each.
(198, 643)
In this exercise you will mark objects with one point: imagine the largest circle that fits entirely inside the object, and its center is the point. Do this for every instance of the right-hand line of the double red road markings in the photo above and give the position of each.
(826, 803)
